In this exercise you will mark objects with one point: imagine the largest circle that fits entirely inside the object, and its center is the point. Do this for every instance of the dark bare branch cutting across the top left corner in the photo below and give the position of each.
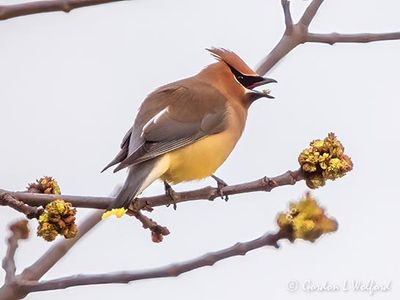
(37, 7)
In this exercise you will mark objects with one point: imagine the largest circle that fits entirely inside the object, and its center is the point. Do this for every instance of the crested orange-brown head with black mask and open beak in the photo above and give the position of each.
(241, 75)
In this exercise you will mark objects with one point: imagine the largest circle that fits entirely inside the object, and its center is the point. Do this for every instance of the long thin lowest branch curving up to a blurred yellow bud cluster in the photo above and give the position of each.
(268, 239)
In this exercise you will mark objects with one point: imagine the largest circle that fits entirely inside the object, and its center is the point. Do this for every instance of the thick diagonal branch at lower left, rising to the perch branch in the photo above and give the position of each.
(56, 252)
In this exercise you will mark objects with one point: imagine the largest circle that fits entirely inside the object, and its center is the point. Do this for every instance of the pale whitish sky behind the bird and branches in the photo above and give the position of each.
(70, 88)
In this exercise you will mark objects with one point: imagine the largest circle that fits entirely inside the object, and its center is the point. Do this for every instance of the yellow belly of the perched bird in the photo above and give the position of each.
(200, 159)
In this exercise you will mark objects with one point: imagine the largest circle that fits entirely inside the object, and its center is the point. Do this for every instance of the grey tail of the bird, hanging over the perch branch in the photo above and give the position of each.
(134, 184)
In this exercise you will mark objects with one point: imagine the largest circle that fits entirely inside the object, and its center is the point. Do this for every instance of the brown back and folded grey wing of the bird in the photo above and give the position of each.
(172, 117)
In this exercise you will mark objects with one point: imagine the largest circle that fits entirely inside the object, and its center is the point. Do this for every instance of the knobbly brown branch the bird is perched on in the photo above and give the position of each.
(207, 193)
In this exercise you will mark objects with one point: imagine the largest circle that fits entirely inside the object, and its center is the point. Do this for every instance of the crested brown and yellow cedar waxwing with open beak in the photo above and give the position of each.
(186, 129)
